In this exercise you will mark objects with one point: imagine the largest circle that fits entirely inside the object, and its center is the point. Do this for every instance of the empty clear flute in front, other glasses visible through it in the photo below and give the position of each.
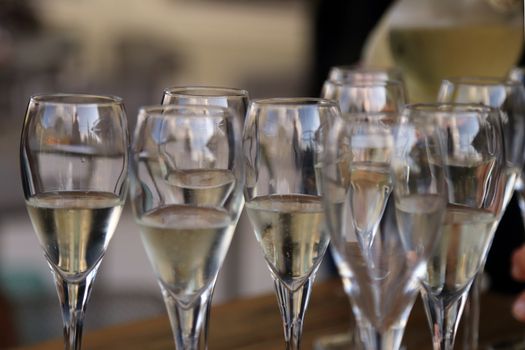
(380, 249)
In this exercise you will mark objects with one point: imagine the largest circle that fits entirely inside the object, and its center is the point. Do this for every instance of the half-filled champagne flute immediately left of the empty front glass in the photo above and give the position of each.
(282, 147)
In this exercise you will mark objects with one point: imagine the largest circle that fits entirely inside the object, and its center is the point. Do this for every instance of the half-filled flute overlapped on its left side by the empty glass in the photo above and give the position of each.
(476, 195)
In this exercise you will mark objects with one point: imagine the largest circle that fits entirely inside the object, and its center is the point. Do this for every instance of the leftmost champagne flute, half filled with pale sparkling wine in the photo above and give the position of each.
(74, 158)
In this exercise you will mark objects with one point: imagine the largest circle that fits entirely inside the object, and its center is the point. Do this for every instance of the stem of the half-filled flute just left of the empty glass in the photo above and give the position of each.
(292, 305)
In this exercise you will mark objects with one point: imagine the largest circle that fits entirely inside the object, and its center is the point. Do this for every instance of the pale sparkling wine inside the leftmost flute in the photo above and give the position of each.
(74, 228)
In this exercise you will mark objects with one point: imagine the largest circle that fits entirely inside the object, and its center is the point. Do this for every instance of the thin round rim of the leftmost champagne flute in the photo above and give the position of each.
(75, 99)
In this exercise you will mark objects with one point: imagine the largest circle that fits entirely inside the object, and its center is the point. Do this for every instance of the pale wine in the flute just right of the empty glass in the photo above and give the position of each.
(464, 243)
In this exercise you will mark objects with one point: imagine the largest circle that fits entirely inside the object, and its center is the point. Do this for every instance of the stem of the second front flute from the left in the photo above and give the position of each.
(187, 320)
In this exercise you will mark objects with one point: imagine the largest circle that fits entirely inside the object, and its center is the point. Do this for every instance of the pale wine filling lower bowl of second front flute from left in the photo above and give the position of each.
(186, 246)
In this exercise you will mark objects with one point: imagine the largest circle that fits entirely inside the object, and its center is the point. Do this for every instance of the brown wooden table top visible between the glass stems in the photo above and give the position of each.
(255, 323)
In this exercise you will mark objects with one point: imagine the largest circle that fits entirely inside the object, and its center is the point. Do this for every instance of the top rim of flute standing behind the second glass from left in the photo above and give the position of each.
(235, 99)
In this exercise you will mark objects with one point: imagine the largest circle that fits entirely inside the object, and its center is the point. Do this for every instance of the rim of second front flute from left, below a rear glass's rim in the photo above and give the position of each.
(185, 111)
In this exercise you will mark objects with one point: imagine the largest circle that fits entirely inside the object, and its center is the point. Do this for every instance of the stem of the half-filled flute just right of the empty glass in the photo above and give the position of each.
(443, 315)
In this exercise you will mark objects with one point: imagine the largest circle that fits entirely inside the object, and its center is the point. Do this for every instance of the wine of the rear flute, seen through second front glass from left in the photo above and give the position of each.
(203, 187)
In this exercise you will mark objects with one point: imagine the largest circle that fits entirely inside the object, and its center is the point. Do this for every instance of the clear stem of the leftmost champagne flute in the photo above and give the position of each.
(73, 296)
